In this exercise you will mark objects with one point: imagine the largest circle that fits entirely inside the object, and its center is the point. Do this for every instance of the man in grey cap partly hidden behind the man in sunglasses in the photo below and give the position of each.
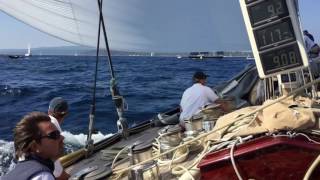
(58, 109)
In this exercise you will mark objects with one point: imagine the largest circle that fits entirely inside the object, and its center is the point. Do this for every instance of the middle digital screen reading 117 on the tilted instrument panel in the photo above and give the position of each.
(275, 34)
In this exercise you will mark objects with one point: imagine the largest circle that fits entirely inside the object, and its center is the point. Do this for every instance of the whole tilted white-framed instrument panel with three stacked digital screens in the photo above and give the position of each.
(275, 36)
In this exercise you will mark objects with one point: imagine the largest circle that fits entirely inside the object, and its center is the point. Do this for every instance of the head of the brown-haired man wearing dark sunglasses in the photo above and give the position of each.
(36, 135)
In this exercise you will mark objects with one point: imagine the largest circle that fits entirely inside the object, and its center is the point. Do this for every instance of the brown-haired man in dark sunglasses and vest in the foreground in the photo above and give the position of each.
(38, 143)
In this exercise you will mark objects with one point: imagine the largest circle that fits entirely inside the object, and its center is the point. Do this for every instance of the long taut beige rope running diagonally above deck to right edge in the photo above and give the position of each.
(227, 125)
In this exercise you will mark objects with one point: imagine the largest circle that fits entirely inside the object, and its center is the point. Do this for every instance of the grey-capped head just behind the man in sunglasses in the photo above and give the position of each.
(58, 108)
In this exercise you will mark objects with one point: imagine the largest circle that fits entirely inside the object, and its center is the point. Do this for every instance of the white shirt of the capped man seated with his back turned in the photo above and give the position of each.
(194, 98)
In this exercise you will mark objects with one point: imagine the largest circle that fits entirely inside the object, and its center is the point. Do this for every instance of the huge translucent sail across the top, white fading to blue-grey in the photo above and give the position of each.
(139, 25)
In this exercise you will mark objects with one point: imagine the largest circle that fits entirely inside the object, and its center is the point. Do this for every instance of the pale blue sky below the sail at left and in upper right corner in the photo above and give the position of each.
(16, 35)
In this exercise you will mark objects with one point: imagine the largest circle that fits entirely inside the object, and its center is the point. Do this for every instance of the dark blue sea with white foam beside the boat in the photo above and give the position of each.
(150, 85)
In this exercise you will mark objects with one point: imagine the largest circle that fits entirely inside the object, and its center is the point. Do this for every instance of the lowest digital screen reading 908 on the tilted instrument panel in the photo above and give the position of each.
(281, 59)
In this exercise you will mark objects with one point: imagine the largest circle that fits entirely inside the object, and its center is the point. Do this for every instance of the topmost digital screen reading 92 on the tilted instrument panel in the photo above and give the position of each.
(269, 9)
